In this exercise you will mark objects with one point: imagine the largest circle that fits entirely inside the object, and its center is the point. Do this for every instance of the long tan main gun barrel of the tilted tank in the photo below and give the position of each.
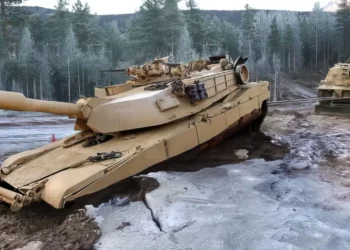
(18, 102)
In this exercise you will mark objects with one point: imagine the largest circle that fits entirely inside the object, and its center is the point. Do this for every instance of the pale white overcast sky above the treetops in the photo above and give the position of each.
(129, 6)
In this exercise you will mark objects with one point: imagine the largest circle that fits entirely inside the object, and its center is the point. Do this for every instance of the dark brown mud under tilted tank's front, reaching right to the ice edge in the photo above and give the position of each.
(70, 228)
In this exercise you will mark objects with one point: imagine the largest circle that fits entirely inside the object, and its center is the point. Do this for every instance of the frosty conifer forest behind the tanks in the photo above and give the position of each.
(58, 57)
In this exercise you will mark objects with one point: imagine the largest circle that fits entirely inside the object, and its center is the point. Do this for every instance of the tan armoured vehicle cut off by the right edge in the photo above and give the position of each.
(336, 85)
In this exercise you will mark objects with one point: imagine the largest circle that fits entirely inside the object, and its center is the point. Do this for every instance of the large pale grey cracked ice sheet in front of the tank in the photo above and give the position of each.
(252, 205)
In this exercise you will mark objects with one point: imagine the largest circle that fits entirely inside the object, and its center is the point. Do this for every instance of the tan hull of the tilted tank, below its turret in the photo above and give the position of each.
(60, 173)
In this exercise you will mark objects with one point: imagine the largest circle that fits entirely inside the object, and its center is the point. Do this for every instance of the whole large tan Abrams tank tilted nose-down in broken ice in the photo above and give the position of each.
(127, 128)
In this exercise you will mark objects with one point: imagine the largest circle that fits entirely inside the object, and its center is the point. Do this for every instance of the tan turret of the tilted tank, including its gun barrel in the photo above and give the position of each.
(126, 107)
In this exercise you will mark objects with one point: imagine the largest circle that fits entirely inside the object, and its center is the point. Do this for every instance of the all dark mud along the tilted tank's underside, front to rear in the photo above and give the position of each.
(72, 229)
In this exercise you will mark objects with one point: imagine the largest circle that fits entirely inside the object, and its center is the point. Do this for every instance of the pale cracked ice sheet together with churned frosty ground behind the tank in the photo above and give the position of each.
(299, 202)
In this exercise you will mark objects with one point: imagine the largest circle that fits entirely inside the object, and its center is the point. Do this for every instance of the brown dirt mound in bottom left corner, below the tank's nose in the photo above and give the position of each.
(55, 229)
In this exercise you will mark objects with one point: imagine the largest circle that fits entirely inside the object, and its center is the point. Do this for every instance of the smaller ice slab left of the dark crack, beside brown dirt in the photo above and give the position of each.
(131, 227)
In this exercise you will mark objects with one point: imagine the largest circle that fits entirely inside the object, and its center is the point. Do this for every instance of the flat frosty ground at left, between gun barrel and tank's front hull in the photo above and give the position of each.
(21, 131)
